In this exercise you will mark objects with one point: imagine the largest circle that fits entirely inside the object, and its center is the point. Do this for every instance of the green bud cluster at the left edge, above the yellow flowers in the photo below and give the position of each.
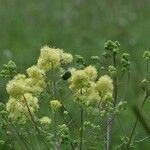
(9, 70)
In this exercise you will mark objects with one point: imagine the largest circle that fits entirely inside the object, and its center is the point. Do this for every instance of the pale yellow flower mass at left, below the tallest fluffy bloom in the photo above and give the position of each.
(21, 89)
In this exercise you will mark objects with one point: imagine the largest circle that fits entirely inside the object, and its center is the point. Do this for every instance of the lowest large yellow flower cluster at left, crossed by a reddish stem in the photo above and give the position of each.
(18, 108)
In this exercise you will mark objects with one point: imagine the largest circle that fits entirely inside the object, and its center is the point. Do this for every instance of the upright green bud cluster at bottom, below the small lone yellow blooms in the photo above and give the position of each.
(63, 133)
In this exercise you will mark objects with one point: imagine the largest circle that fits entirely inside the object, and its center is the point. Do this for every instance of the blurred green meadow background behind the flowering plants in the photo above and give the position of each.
(78, 26)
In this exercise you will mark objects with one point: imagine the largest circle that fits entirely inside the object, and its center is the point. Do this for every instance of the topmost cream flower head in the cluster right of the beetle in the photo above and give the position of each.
(91, 72)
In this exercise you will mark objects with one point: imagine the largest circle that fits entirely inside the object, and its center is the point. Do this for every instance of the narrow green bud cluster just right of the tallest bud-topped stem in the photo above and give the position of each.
(125, 61)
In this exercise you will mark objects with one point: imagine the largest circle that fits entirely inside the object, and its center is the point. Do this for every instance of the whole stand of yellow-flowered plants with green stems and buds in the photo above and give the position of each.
(93, 89)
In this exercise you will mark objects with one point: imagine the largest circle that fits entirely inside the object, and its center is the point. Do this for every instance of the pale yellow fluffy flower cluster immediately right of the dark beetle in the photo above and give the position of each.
(87, 89)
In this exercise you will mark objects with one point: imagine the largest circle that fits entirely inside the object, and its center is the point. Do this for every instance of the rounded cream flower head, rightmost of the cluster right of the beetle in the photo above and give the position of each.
(104, 84)
